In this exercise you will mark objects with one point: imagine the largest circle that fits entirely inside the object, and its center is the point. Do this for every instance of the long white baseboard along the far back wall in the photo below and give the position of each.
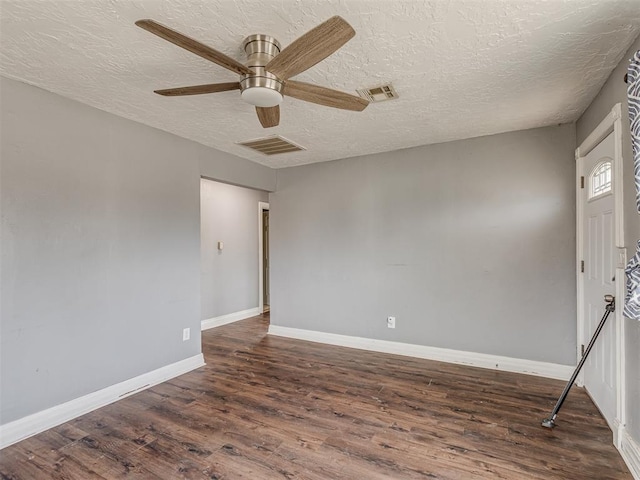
(495, 362)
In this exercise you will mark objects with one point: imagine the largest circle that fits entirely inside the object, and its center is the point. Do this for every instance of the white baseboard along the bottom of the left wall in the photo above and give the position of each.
(25, 427)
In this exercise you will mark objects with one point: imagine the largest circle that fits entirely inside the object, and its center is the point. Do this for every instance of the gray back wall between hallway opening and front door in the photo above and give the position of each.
(470, 244)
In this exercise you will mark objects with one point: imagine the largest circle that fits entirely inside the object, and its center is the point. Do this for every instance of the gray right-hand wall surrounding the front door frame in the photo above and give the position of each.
(615, 91)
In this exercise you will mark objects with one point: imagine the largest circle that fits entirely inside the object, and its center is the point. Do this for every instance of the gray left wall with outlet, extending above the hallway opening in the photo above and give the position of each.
(100, 254)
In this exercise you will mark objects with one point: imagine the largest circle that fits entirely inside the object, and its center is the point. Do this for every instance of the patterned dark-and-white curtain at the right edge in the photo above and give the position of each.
(632, 300)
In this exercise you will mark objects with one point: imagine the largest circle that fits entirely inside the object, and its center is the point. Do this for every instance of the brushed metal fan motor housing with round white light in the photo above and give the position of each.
(262, 89)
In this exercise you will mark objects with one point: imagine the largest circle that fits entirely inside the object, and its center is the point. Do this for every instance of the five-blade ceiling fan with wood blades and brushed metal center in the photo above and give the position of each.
(265, 79)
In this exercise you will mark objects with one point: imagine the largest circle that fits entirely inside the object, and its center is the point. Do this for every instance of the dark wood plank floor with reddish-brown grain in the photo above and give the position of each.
(273, 408)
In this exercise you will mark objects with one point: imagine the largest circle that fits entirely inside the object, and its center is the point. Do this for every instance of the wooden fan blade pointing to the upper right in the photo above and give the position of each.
(312, 47)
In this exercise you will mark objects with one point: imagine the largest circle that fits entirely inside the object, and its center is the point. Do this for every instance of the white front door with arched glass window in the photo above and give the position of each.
(599, 256)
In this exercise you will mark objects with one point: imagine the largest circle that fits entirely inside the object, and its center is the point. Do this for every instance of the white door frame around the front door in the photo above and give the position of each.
(611, 123)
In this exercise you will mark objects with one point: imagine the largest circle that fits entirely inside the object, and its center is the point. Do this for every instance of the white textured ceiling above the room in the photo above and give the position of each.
(462, 68)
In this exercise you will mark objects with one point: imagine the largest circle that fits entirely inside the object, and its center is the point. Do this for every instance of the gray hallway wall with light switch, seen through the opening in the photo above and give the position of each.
(229, 277)
